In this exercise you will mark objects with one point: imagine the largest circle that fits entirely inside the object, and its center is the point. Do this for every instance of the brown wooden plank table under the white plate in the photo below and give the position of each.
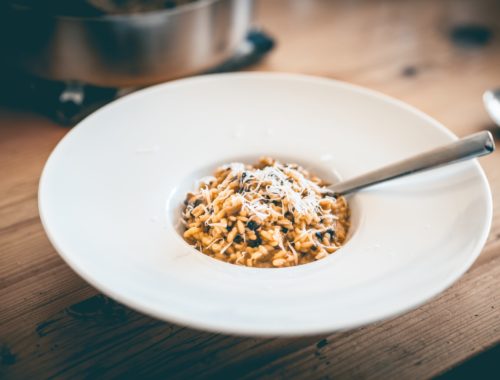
(53, 324)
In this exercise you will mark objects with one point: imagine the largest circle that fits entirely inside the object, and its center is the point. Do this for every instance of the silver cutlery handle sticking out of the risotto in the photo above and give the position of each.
(476, 145)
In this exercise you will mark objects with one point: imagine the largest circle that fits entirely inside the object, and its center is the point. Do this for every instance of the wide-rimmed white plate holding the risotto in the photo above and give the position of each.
(110, 192)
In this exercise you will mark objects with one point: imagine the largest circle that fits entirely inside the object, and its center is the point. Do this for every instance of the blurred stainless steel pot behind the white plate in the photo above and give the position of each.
(126, 50)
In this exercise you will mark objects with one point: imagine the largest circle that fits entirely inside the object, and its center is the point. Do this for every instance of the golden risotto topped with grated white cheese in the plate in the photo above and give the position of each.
(268, 215)
